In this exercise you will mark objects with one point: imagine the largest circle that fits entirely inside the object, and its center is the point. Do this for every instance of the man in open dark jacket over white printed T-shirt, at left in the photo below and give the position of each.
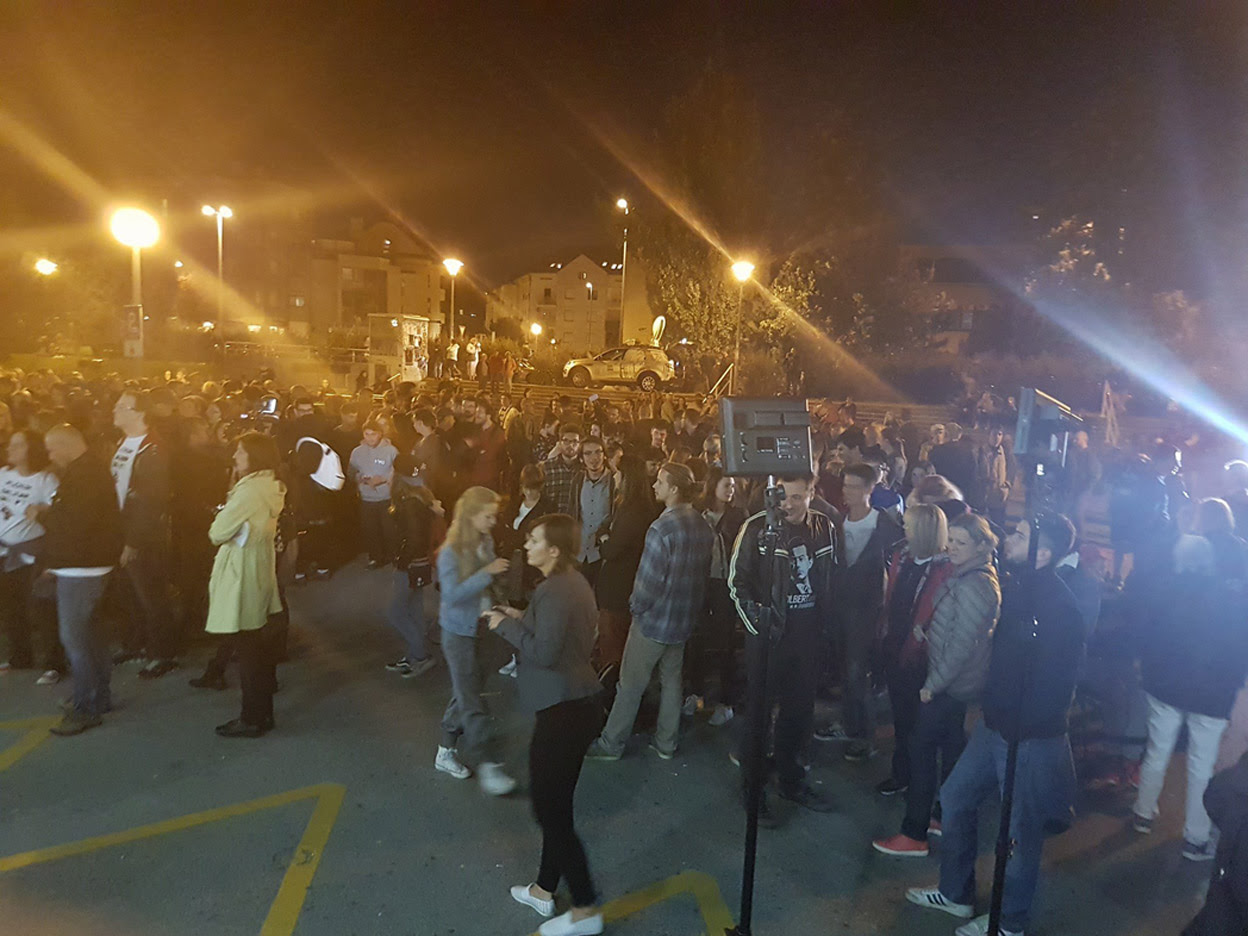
(140, 472)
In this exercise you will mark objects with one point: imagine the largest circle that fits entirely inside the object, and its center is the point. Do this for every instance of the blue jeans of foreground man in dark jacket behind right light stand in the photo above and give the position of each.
(1044, 786)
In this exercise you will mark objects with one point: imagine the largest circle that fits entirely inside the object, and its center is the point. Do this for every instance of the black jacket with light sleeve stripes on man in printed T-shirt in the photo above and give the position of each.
(746, 568)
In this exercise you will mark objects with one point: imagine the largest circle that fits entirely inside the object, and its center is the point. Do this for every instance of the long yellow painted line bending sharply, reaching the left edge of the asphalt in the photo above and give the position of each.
(285, 910)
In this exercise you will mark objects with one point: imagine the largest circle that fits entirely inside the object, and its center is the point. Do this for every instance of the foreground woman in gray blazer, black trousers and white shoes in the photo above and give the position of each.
(555, 638)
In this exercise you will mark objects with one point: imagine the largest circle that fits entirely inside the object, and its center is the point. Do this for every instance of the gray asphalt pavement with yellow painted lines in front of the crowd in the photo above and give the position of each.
(338, 826)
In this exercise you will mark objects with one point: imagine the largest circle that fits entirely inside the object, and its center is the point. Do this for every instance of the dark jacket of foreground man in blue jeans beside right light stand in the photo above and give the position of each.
(1036, 673)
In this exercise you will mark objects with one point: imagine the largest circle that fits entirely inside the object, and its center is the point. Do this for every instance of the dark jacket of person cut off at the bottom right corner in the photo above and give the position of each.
(1226, 909)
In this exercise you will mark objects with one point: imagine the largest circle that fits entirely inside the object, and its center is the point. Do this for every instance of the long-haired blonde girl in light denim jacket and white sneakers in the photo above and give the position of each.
(467, 567)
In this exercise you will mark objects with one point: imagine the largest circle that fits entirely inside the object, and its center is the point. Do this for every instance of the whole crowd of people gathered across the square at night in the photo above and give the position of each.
(605, 544)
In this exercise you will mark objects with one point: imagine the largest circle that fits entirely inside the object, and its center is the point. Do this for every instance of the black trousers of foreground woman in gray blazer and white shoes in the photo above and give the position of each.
(561, 738)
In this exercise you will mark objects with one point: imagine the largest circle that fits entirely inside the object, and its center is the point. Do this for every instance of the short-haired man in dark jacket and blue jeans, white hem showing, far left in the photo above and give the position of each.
(83, 544)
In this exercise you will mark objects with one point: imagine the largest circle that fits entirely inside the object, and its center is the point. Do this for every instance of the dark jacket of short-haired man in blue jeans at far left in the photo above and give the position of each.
(84, 524)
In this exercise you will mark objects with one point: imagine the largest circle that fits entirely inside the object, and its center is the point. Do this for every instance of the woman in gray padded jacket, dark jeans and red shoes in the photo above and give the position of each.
(959, 645)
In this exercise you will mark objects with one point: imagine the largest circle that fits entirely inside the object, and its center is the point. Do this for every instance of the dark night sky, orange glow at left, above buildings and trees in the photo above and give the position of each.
(475, 124)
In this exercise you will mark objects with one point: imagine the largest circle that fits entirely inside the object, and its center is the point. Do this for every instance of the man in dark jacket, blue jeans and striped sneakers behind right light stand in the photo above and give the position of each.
(1036, 655)
